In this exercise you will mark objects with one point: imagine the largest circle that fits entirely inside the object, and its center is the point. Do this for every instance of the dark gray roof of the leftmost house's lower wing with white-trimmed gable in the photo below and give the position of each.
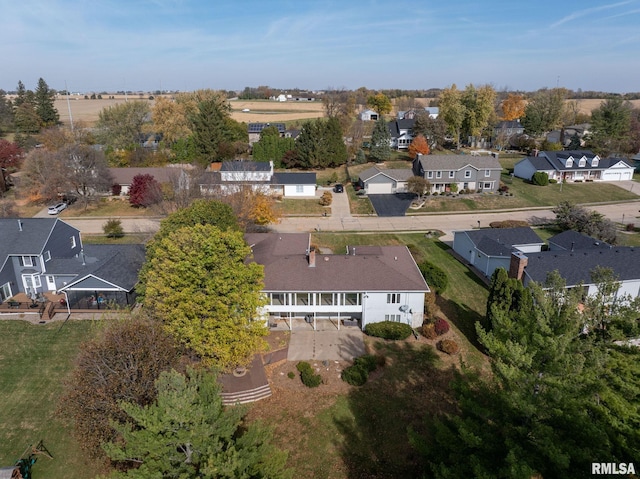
(115, 264)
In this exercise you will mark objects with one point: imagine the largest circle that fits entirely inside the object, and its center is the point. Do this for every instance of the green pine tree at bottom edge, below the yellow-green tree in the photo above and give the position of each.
(187, 433)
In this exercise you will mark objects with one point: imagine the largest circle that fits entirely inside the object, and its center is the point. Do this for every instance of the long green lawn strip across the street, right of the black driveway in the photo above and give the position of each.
(526, 195)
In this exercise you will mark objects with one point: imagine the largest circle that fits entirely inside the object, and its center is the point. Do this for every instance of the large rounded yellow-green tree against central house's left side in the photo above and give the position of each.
(201, 286)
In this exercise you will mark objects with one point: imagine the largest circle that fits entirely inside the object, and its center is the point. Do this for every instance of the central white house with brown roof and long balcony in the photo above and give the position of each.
(367, 283)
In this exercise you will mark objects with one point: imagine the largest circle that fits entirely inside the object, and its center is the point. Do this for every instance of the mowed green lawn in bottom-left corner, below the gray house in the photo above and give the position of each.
(34, 361)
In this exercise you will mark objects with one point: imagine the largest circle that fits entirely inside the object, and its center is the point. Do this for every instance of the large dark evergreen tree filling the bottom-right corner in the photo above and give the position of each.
(542, 411)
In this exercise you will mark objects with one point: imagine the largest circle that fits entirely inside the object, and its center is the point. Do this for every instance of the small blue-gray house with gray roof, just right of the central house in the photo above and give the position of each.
(489, 249)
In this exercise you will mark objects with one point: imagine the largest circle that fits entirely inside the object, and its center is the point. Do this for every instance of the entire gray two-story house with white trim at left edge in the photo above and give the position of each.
(46, 255)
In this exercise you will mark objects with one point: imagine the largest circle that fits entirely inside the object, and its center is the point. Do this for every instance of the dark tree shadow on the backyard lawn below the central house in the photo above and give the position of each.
(398, 396)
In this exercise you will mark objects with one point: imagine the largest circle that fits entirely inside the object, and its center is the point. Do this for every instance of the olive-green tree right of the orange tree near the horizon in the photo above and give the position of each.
(544, 111)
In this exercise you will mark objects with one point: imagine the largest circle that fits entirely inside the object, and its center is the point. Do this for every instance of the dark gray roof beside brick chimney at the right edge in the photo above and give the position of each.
(576, 266)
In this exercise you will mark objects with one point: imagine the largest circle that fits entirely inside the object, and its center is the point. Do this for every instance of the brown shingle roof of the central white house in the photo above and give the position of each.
(286, 268)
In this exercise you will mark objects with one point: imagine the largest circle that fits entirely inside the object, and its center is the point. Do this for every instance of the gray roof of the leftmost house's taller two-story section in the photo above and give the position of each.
(30, 241)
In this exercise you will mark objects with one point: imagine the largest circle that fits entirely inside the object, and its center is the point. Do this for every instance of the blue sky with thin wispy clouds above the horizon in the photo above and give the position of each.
(110, 45)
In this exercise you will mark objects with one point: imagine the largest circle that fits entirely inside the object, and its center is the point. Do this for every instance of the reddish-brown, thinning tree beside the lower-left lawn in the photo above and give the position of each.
(120, 364)
